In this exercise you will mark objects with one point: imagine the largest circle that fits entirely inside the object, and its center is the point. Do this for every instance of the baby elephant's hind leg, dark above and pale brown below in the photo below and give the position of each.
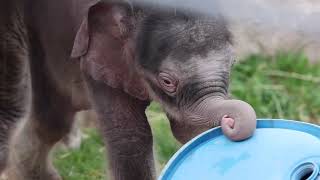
(51, 117)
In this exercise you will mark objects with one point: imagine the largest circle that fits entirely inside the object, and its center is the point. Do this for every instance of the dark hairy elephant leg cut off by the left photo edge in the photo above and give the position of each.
(14, 77)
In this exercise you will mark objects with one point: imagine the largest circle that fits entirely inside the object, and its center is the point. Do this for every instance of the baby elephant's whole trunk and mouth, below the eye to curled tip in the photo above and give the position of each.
(237, 119)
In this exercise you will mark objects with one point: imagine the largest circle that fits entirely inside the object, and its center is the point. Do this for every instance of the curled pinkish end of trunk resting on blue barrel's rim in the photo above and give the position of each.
(237, 118)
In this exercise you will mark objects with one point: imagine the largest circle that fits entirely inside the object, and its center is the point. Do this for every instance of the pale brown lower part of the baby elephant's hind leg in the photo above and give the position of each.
(29, 157)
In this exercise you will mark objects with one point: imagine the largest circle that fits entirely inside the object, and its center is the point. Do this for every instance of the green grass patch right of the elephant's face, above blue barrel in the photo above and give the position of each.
(284, 86)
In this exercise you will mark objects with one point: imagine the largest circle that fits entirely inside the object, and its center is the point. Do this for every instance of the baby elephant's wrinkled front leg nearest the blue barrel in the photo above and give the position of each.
(126, 132)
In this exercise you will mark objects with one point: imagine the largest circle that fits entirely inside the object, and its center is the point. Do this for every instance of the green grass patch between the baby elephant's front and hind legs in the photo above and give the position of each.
(87, 163)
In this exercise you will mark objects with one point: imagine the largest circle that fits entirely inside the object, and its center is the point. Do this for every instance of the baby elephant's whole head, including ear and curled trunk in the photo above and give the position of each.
(180, 59)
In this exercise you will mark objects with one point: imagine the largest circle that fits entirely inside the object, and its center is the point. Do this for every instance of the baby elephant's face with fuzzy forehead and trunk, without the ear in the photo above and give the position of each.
(186, 62)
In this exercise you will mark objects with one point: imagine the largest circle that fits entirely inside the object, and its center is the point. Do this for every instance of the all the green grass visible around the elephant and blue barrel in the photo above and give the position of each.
(283, 86)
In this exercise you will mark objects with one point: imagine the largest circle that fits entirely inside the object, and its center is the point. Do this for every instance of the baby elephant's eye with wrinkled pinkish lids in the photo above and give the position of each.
(168, 83)
